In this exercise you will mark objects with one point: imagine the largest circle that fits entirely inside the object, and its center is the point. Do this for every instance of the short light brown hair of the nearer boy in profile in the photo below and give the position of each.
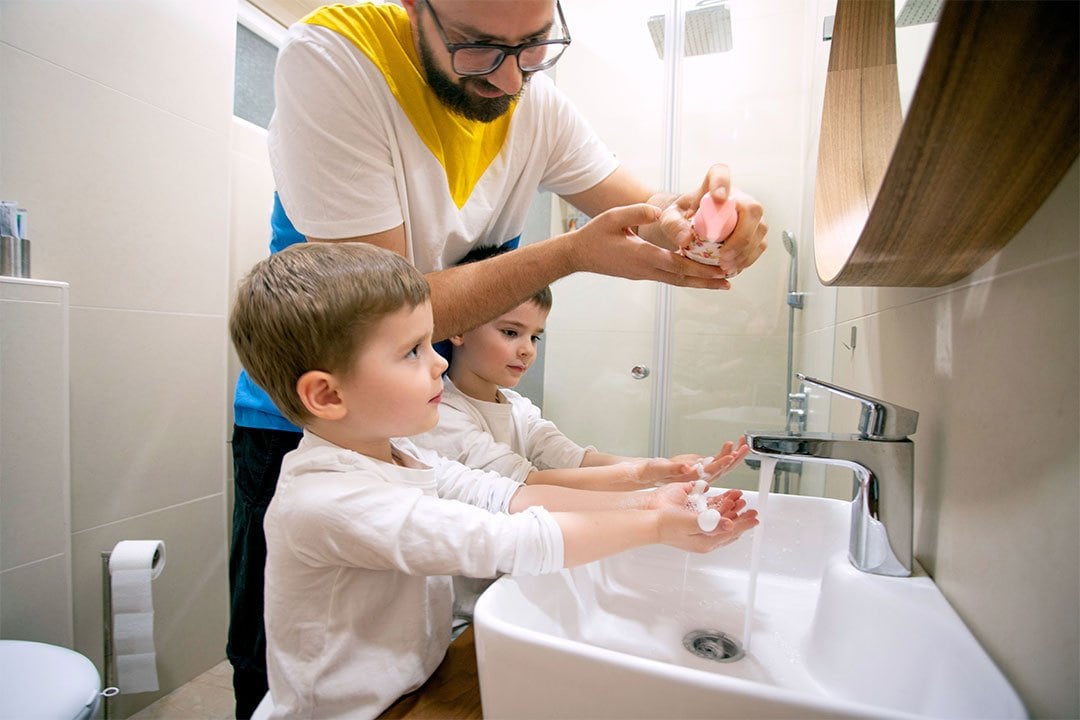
(310, 307)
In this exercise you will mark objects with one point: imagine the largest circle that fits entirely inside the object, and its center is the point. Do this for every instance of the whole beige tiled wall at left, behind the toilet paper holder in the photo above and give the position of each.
(115, 134)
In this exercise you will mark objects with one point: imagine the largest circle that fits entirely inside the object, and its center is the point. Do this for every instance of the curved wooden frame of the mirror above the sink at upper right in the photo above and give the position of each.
(992, 129)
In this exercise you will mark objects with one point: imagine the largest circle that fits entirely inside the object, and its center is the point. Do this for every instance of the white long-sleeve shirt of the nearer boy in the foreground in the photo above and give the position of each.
(359, 559)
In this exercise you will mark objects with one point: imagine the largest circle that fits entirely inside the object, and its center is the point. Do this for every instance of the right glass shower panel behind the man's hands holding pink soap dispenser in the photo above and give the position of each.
(747, 106)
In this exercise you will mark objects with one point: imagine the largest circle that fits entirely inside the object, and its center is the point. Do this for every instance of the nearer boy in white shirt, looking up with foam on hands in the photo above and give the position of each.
(364, 528)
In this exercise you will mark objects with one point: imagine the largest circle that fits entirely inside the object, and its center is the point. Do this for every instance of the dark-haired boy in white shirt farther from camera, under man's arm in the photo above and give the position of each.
(485, 425)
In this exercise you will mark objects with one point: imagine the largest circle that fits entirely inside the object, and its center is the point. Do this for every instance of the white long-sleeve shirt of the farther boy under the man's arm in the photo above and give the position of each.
(510, 439)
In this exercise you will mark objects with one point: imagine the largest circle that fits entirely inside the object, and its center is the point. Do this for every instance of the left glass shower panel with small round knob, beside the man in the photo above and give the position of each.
(601, 337)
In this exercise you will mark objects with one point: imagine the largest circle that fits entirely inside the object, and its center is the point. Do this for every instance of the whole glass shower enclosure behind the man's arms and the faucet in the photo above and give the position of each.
(645, 370)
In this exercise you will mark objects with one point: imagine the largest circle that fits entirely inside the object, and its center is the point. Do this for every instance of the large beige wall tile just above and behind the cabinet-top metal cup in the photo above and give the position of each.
(128, 202)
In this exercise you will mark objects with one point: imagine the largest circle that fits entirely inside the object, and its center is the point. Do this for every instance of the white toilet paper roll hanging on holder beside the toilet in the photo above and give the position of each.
(133, 566)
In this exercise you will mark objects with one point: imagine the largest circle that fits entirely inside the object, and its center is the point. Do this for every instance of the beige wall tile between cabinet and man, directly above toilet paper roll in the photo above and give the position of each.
(147, 412)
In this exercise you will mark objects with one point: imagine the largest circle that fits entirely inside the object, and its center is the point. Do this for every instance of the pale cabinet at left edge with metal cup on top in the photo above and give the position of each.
(35, 464)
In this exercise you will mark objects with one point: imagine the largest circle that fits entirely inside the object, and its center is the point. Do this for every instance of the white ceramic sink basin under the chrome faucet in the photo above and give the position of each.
(606, 640)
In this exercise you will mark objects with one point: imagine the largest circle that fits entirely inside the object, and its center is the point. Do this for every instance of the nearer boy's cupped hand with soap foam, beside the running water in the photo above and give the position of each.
(679, 520)
